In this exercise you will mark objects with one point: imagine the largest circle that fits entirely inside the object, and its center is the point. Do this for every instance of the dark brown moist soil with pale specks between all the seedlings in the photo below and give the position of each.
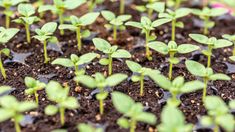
(132, 40)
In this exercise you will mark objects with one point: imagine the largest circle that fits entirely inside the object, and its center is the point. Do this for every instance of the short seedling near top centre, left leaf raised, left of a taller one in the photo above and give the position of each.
(115, 22)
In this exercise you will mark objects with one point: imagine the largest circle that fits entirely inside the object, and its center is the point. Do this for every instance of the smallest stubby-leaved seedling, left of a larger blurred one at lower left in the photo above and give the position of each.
(33, 86)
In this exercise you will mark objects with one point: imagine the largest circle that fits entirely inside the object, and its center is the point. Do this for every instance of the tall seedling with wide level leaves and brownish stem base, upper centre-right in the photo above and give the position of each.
(146, 25)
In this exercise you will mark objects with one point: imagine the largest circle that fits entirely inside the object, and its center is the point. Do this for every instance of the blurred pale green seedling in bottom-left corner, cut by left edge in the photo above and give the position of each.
(11, 108)
